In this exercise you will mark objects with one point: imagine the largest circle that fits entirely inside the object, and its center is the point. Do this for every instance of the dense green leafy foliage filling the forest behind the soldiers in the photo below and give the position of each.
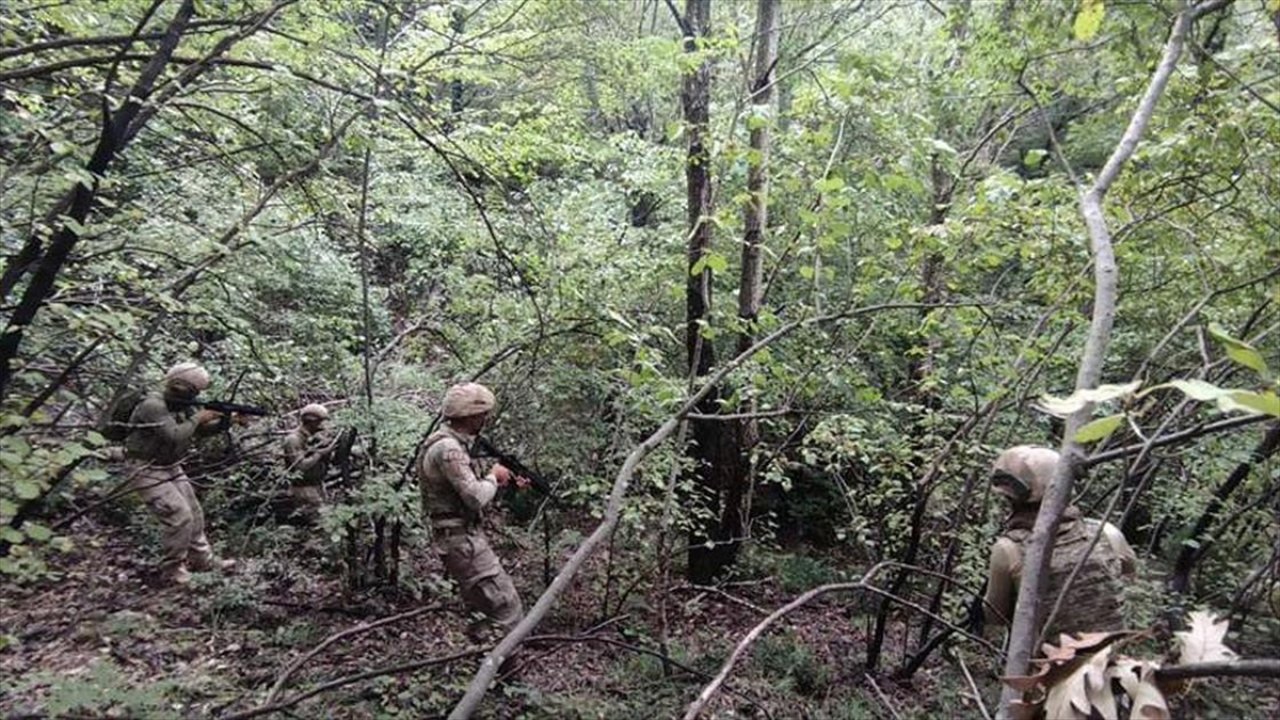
(363, 203)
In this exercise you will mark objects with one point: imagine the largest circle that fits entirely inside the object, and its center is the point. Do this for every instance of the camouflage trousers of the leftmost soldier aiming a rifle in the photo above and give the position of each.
(168, 494)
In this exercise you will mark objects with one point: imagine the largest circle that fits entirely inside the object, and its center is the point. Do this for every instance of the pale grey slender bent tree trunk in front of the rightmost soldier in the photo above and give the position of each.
(1040, 548)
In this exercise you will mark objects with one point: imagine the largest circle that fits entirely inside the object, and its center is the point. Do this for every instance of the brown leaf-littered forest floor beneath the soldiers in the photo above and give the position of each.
(98, 641)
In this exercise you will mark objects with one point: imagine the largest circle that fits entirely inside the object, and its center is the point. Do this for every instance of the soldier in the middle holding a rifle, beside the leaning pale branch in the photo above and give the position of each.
(454, 499)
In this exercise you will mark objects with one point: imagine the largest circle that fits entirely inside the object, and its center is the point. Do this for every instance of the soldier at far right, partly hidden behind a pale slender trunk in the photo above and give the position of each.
(1096, 596)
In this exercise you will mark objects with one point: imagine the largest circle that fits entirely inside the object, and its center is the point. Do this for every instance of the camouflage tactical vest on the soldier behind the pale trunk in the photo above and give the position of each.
(1096, 600)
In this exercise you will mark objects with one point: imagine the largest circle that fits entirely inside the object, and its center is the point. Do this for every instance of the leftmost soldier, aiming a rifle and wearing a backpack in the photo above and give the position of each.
(161, 432)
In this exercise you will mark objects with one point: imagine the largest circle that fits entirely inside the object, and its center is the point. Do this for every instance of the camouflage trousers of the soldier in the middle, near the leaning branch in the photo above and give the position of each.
(487, 589)
